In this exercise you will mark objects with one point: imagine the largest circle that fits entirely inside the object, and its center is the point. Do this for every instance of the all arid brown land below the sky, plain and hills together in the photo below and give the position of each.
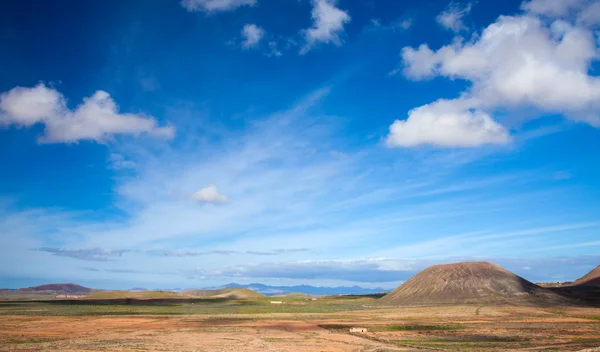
(456, 307)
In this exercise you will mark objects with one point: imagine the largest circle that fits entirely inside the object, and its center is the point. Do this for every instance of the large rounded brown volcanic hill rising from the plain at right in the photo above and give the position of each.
(469, 282)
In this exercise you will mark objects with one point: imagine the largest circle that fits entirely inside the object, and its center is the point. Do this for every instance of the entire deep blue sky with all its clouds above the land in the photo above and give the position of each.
(195, 143)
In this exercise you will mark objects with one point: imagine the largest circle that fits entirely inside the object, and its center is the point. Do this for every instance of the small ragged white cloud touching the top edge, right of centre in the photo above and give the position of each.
(328, 24)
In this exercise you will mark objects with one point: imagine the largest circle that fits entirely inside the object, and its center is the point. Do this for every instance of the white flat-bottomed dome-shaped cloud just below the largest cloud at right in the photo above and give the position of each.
(446, 123)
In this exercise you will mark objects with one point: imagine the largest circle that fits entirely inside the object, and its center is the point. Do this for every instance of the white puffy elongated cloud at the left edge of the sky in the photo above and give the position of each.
(96, 119)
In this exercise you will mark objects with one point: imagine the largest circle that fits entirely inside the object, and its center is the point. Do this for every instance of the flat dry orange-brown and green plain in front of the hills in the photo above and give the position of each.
(297, 325)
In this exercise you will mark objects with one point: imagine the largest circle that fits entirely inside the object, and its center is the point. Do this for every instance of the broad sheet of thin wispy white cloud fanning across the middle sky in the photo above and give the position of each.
(293, 183)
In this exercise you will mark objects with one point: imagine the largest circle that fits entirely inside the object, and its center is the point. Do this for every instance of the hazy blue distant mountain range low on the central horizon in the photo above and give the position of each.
(311, 290)
